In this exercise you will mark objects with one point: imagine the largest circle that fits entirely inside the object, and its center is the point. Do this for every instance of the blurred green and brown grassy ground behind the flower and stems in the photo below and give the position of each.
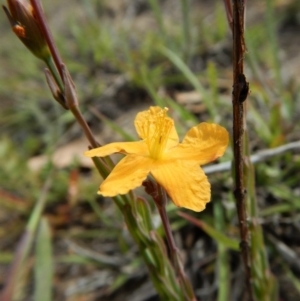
(125, 56)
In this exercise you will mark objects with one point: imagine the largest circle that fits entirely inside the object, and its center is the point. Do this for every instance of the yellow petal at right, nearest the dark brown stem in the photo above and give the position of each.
(203, 143)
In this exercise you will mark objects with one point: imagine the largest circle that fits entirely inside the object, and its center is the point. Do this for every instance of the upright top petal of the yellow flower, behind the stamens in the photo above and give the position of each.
(148, 123)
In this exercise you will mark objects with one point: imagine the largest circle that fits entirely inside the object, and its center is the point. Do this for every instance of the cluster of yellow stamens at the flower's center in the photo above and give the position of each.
(157, 130)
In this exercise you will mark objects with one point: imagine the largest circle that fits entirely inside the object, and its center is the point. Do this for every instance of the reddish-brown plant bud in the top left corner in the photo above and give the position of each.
(24, 24)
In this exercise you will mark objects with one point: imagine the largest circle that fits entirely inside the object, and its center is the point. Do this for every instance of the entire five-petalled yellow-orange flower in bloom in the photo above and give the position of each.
(174, 165)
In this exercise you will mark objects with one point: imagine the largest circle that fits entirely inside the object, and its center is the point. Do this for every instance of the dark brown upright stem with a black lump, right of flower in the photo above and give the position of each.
(240, 92)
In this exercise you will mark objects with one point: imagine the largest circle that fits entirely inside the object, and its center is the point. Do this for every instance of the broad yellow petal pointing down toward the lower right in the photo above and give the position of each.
(185, 183)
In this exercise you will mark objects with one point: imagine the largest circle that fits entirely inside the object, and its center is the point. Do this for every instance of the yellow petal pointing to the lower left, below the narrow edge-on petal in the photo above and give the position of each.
(128, 174)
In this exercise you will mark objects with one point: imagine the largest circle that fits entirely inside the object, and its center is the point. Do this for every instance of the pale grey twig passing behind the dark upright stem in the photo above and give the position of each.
(258, 157)
